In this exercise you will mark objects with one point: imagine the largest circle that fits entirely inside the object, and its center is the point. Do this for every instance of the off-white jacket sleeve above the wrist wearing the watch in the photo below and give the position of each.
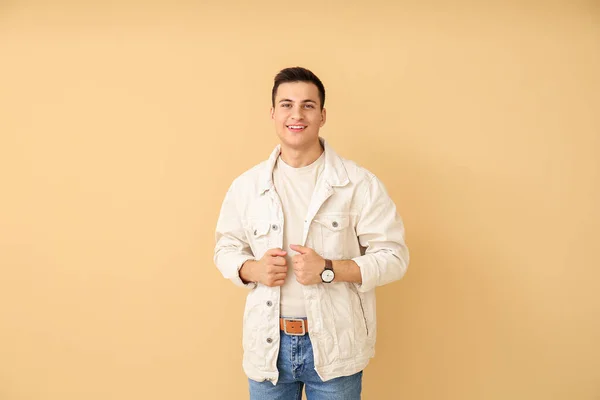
(380, 230)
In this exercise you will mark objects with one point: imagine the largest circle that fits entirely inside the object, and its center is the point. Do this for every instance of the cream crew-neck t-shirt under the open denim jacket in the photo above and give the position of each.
(295, 188)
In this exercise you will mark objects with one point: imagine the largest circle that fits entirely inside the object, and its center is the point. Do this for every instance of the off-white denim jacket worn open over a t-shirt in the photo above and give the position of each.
(351, 216)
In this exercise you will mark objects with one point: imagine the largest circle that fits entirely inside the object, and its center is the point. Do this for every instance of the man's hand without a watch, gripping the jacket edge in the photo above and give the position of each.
(270, 270)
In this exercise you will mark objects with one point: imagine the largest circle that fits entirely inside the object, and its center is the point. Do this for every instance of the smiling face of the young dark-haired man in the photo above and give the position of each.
(297, 114)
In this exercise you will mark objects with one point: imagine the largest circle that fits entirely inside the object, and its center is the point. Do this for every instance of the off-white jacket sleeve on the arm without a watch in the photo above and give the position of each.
(232, 249)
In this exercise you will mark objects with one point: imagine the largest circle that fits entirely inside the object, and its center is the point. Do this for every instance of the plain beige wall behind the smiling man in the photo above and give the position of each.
(122, 125)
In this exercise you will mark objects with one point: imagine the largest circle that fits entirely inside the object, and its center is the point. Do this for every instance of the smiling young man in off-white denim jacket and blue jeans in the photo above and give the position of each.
(311, 235)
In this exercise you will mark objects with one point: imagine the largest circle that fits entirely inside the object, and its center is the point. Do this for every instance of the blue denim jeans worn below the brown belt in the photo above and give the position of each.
(296, 369)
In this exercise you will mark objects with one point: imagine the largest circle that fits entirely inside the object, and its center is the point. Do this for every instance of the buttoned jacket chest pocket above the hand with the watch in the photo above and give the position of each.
(334, 232)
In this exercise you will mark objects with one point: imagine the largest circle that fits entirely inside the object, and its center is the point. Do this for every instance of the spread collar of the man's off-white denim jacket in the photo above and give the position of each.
(334, 173)
